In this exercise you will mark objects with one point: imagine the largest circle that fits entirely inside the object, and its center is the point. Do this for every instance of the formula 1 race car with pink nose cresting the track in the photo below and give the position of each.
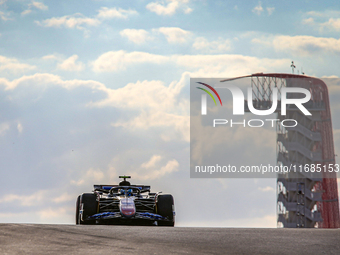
(125, 204)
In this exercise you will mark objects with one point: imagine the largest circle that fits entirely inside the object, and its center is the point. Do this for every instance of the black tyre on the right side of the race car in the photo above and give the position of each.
(165, 208)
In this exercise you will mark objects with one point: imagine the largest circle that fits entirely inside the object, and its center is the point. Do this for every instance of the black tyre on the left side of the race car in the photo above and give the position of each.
(90, 207)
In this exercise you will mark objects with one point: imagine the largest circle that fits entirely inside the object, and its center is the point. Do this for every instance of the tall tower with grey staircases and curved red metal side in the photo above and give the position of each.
(305, 199)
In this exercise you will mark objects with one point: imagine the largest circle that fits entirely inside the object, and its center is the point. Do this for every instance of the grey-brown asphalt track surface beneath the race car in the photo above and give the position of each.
(100, 239)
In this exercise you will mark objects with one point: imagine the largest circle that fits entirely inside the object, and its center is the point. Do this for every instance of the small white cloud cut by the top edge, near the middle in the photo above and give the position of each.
(161, 8)
